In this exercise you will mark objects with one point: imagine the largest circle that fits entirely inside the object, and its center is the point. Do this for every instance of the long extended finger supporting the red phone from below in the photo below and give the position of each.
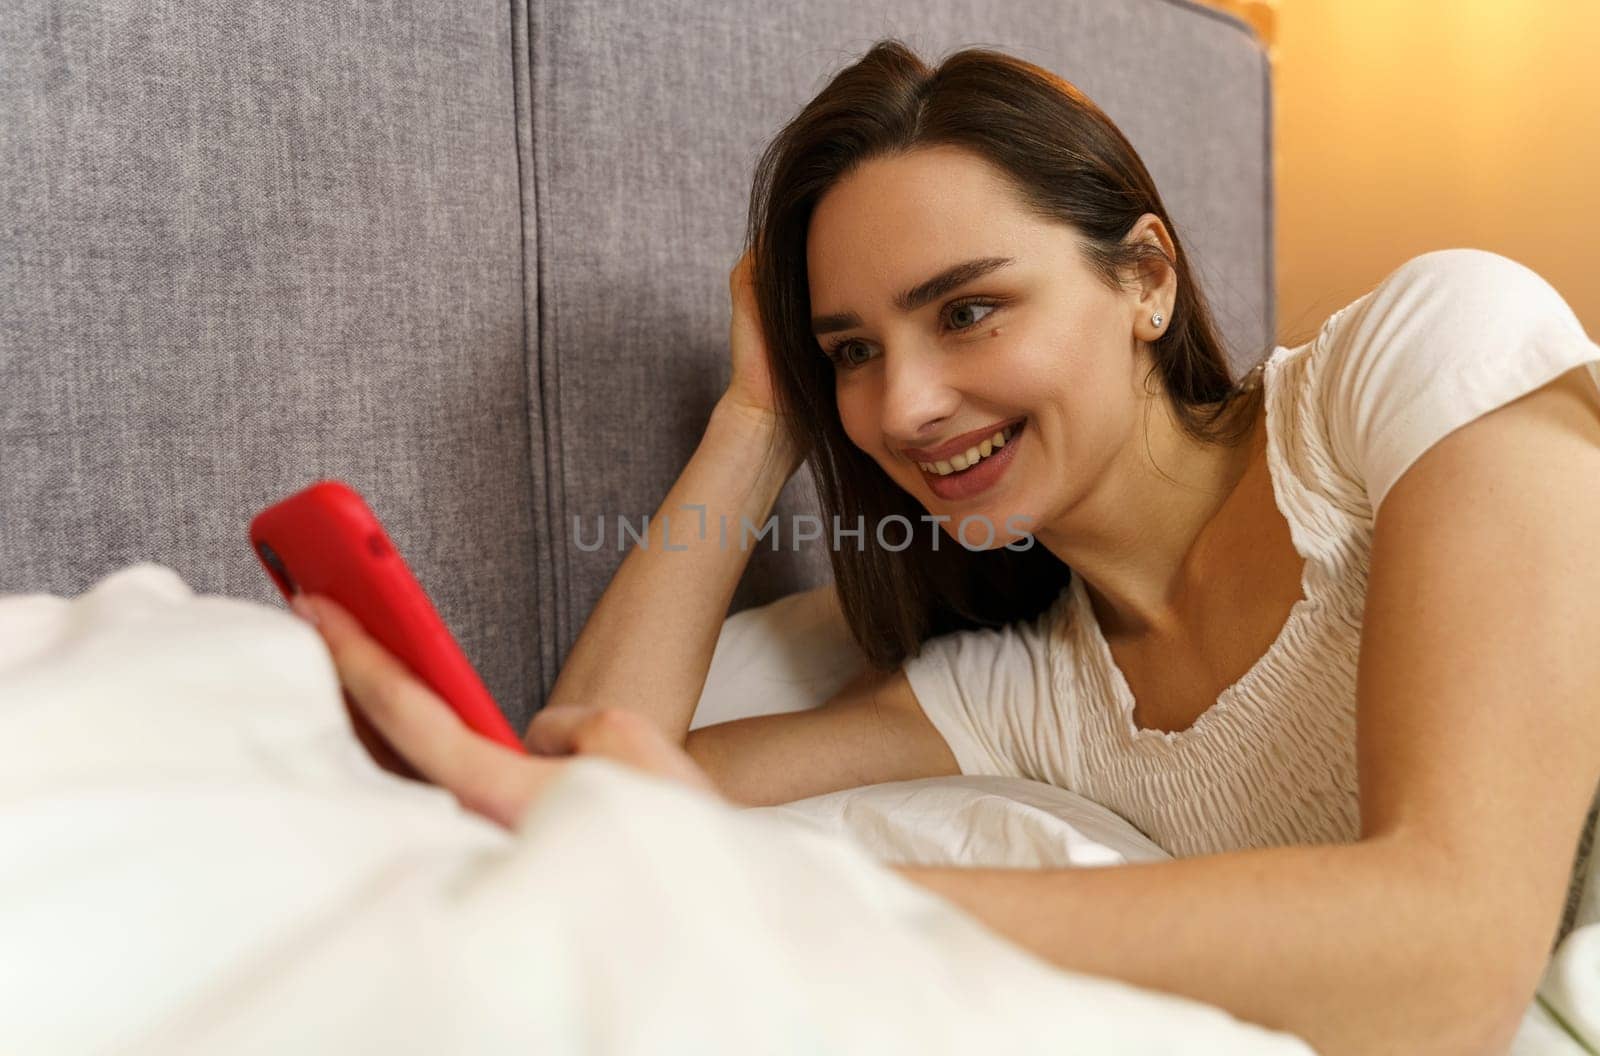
(406, 713)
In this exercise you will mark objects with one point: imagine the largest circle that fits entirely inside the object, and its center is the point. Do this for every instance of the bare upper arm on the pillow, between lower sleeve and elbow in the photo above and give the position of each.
(873, 730)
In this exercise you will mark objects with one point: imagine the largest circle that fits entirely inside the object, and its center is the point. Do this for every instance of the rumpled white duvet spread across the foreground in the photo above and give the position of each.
(196, 855)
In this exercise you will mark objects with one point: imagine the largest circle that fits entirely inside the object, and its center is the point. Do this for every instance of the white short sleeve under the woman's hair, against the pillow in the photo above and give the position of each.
(986, 692)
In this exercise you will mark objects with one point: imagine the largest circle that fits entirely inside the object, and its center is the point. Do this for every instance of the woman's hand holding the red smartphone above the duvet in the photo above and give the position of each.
(412, 732)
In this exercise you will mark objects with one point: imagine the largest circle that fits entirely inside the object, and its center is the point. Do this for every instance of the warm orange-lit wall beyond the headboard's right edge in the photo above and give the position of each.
(1414, 127)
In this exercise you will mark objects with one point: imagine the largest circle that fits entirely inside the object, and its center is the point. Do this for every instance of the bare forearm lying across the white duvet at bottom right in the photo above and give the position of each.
(1369, 948)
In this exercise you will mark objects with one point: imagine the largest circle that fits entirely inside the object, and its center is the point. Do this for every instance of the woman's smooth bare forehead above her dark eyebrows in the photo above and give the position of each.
(898, 215)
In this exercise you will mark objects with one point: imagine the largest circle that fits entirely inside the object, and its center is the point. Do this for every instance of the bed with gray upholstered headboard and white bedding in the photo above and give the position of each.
(473, 260)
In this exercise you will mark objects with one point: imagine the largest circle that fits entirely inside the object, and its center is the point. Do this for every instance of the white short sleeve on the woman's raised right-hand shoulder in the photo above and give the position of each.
(1441, 342)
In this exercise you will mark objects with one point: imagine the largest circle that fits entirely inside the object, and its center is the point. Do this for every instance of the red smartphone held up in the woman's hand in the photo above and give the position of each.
(324, 540)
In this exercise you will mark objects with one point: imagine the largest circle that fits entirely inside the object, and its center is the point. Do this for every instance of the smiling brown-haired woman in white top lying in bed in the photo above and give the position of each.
(1370, 742)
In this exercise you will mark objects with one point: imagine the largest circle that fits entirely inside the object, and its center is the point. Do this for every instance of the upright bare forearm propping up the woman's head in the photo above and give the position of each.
(649, 642)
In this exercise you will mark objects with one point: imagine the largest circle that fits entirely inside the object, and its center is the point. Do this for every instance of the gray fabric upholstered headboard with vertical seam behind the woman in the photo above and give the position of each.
(471, 262)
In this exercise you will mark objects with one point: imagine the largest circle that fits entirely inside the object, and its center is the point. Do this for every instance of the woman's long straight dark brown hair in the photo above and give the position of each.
(1071, 166)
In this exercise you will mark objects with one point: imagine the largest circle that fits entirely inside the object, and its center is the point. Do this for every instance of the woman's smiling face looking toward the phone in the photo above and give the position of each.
(1039, 342)
